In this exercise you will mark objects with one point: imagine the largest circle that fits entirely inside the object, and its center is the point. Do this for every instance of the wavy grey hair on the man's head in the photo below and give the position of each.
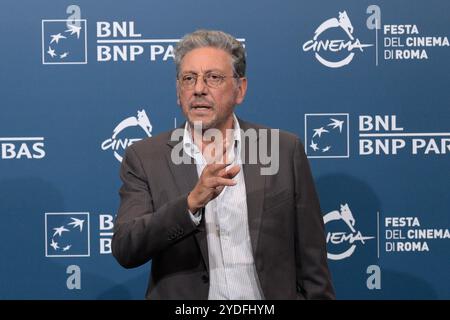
(215, 39)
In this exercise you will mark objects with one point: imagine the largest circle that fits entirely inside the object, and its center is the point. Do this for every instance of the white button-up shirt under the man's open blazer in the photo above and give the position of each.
(232, 271)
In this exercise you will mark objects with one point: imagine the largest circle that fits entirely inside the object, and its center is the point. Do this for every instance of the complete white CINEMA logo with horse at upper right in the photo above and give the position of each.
(337, 45)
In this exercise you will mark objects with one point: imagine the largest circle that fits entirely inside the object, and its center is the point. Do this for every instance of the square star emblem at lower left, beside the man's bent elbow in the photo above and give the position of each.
(67, 234)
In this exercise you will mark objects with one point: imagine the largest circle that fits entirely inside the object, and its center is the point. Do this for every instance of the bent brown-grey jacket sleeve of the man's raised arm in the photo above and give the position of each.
(140, 231)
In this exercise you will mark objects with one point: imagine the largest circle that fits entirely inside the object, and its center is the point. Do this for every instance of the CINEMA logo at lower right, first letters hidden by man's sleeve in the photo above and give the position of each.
(343, 236)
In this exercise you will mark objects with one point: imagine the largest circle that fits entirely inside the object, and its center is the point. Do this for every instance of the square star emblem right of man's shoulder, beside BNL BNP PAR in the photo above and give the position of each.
(327, 135)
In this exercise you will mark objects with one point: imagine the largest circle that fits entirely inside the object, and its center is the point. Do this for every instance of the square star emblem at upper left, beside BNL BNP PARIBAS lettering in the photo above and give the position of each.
(64, 41)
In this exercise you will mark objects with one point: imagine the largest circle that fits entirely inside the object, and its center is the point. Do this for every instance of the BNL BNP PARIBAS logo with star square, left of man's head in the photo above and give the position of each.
(64, 41)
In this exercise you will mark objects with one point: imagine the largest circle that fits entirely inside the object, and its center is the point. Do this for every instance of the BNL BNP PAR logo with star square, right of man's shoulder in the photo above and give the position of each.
(327, 136)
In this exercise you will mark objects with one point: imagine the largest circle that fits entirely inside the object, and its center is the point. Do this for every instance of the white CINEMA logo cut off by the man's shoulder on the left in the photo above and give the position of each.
(120, 138)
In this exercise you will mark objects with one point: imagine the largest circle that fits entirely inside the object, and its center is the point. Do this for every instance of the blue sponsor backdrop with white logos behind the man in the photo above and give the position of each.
(364, 84)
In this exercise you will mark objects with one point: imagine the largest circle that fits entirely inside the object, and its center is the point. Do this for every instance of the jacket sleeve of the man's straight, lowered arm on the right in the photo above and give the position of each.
(313, 275)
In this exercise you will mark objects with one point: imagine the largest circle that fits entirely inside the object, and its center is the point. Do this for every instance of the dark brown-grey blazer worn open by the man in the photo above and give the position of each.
(284, 217)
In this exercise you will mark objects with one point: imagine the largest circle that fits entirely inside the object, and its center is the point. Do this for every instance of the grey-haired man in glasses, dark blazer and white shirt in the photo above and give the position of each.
(213, 222)
